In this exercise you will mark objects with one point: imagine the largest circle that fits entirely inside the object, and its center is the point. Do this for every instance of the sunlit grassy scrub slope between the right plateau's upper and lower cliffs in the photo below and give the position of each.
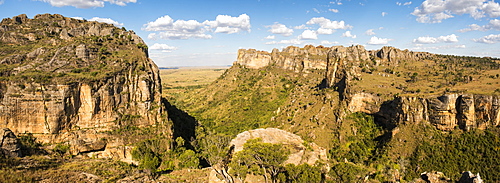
(437, 75)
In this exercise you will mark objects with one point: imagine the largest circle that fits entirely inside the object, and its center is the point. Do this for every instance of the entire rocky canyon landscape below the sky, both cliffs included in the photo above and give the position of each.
(79, 98)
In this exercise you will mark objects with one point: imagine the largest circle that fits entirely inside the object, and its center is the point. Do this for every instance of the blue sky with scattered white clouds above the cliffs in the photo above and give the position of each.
(208, 33)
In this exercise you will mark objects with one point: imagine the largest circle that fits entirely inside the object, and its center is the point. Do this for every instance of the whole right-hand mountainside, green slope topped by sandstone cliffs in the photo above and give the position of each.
(380, 113)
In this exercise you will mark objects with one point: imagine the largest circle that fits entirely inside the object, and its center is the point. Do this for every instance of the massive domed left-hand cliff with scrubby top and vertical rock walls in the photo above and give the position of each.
(65, 79)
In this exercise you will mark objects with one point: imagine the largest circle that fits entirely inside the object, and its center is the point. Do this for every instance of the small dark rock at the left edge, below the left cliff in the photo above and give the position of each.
(9, 144)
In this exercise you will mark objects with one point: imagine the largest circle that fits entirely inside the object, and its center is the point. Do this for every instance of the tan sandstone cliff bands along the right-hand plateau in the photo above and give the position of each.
(344, 67)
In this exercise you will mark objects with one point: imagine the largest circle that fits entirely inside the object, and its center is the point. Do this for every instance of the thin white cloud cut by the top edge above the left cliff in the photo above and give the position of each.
(86, 3)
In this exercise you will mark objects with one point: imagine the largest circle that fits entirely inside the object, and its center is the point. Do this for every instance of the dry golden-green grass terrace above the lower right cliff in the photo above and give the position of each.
(431, 79)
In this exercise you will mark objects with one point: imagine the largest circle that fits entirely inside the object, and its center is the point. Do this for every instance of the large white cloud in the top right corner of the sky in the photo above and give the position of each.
(434, 11)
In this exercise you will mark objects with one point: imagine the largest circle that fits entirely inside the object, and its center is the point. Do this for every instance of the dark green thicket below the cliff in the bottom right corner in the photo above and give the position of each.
(458, 151)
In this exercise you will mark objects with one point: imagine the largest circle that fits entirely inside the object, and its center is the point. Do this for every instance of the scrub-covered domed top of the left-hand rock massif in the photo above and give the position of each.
(48, 57)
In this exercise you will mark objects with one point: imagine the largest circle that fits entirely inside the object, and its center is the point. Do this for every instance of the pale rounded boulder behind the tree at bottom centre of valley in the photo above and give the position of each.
(300, 153)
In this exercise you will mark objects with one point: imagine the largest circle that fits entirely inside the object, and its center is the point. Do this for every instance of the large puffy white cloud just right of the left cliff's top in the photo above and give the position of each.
(186, 29)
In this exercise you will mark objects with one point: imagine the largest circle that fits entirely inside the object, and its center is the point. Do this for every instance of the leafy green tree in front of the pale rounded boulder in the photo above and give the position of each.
(258, 157)
